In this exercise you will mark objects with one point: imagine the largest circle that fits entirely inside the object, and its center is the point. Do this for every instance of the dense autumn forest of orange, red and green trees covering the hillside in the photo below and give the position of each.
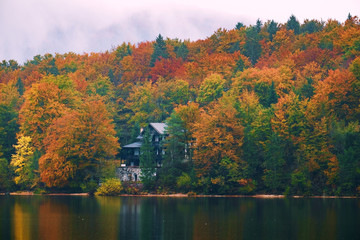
(267, 108)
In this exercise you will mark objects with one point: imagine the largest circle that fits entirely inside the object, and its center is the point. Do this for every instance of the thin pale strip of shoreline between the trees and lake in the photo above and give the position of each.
(181, 195)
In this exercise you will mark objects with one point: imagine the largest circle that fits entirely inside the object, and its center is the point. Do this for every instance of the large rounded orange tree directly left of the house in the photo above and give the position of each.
(78, 145)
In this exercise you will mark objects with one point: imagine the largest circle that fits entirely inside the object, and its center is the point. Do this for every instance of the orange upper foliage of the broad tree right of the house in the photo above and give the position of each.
(218, 135)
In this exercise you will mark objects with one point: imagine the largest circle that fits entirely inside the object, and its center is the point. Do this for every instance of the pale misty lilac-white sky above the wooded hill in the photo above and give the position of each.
(32, 27)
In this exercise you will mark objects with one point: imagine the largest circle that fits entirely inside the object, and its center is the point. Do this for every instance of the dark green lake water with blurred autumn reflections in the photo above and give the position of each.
(75, 217)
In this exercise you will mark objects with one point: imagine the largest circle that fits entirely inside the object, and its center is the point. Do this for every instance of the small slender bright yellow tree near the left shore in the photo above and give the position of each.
(23, 163)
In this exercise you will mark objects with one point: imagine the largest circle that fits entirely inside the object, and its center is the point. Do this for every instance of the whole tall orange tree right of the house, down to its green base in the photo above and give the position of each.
(217, 155)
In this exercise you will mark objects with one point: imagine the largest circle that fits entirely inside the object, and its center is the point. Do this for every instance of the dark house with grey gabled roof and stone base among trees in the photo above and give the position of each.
(130, 154)
